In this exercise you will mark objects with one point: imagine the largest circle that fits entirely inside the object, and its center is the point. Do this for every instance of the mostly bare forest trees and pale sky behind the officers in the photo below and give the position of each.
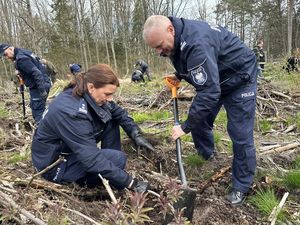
(110, 31)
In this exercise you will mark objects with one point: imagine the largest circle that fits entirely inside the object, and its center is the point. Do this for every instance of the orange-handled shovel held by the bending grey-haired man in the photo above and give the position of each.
(188, 196)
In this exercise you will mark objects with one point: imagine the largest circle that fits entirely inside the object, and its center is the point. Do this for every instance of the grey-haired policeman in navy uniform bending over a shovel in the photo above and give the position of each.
(223, 71)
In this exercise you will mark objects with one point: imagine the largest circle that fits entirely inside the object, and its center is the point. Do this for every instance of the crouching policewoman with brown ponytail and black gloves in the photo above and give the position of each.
(76, 120)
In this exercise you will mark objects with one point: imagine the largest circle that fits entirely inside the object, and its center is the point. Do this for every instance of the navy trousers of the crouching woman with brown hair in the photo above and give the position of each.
(71, 170)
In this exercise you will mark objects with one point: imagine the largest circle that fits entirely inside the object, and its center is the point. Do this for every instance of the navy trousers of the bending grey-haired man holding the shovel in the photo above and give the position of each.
(240, 110)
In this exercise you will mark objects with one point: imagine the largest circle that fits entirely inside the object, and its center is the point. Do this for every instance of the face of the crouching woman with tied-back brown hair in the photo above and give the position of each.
(102, 95)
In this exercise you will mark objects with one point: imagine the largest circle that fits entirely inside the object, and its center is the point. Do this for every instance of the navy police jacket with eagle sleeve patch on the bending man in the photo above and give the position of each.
(213, 60)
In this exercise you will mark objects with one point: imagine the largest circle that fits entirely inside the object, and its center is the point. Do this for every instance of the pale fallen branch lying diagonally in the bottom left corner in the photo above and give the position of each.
(9, 202)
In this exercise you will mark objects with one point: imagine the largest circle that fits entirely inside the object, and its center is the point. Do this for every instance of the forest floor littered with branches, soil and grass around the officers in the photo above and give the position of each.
(26, 198)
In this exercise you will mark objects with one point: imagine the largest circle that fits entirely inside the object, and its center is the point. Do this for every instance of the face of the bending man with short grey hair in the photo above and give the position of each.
(162, 40)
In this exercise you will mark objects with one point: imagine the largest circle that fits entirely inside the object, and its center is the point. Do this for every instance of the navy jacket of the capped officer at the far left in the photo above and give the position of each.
(31, 69)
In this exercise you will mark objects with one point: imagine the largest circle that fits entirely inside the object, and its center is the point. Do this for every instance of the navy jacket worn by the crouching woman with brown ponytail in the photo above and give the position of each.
(73, 125)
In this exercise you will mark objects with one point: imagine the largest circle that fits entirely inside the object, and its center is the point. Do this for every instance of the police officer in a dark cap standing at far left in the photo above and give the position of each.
(33, 74)
